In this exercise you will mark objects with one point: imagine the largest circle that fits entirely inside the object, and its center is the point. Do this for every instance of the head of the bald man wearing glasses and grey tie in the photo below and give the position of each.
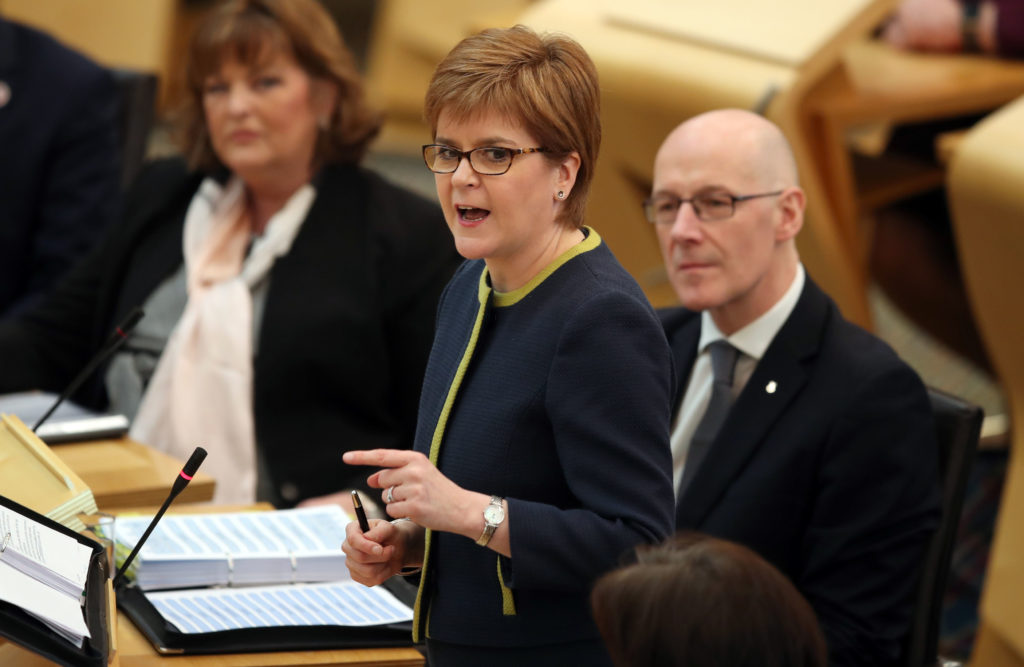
(738, 256)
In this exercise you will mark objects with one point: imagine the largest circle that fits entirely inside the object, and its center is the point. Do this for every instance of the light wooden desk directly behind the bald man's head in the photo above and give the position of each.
(652, 80)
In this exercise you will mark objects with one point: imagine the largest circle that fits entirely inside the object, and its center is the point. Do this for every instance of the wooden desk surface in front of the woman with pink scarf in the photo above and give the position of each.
(125, 474)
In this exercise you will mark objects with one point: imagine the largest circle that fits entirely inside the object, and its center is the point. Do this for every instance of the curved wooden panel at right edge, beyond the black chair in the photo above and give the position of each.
(988, 205)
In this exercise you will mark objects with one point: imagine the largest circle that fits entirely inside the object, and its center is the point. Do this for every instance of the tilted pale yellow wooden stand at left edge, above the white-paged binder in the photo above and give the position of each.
(33, 476)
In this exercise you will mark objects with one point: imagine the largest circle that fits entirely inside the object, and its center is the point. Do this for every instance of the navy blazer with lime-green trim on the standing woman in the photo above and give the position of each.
(564, 410)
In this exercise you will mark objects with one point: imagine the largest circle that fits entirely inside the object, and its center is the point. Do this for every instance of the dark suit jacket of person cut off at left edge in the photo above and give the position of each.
(60, 168)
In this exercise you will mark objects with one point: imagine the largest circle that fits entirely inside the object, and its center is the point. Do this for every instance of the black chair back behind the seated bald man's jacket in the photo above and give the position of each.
(958, 427)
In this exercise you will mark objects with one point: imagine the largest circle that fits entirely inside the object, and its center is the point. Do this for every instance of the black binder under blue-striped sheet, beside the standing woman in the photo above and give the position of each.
(166, 640)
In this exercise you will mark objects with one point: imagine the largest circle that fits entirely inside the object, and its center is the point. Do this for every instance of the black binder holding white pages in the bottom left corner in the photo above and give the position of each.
(23, 630)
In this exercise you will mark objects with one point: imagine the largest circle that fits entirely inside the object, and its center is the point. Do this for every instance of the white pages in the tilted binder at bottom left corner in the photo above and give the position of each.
(44, 572)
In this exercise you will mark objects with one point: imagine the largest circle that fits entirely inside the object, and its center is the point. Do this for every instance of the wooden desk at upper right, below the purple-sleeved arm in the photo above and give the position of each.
(876, 84)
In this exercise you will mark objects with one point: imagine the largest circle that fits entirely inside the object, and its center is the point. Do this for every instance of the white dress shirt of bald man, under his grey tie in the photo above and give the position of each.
(752, 342)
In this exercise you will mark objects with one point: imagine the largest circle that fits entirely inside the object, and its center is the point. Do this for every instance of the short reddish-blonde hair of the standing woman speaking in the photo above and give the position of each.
(546, 84)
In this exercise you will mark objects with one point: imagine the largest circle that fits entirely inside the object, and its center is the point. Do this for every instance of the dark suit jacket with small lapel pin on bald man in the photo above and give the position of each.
(833, 478)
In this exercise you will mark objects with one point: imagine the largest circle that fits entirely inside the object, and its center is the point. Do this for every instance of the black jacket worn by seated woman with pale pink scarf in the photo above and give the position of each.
(346, 333)
